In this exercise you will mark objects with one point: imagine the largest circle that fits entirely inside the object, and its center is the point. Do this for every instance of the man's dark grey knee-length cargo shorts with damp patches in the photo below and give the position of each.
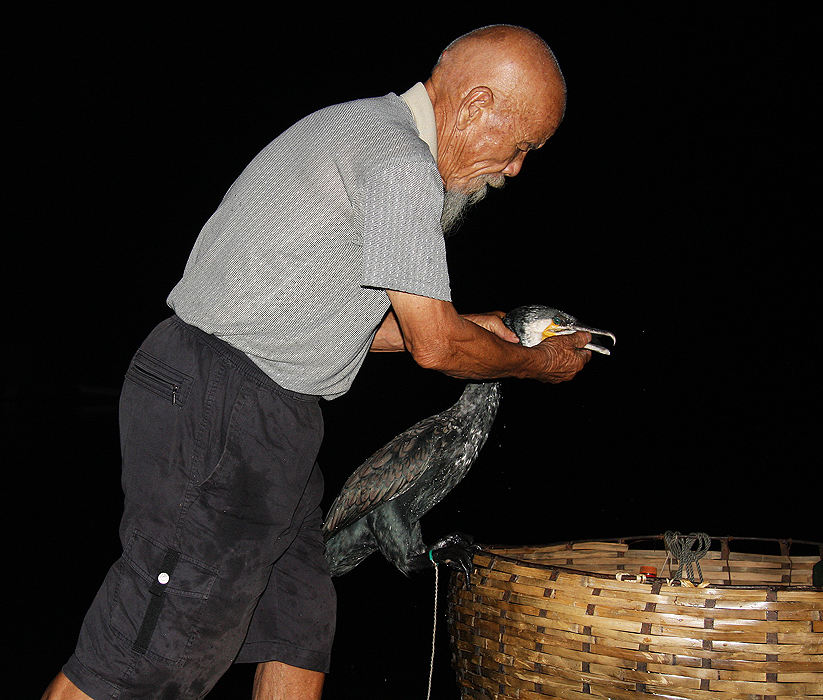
(223, 554)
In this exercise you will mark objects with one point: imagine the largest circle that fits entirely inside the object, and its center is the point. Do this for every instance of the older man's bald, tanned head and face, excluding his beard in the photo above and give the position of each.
(497, 93)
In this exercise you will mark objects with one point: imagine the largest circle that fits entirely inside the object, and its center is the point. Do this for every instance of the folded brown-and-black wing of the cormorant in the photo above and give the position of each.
(387, 474)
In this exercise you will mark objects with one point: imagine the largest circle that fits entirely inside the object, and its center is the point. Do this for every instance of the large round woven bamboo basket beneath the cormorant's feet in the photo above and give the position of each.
(576, 620)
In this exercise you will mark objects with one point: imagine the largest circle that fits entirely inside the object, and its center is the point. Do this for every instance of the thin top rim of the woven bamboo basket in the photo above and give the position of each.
(651, 580)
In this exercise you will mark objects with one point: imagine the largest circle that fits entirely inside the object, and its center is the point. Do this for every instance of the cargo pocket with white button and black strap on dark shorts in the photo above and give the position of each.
(159, 599)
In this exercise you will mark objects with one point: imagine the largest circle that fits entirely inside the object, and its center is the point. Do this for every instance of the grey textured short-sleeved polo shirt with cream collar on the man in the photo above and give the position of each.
(293, 266)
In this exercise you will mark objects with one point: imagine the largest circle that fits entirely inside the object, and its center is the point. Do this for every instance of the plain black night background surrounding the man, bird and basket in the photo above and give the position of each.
(674, 207)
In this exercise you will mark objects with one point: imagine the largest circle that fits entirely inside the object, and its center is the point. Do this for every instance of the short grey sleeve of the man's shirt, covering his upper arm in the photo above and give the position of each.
(403, 243)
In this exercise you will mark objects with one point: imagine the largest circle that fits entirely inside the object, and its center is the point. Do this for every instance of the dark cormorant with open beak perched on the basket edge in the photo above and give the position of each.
(381, 503)
